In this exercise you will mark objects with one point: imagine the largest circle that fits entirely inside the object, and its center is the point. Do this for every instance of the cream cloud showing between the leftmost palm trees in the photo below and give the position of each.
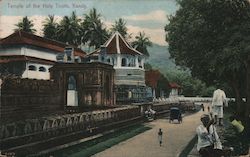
(7, 24)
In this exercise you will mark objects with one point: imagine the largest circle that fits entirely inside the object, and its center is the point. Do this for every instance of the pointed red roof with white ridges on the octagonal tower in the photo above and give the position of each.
(117, 45)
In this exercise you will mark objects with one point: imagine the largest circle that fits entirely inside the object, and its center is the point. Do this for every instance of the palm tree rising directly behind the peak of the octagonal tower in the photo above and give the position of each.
(120, 26)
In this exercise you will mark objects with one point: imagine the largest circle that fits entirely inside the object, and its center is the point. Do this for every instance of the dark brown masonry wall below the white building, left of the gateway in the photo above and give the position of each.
(26, 98)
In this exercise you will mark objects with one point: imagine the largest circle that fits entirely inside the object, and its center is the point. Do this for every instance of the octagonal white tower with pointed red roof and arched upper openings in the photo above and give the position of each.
(129, 68)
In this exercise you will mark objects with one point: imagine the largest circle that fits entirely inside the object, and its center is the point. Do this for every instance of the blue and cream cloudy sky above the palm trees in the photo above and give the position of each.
(149, 16)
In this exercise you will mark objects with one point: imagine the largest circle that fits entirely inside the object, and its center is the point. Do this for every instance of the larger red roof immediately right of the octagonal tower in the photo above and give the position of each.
(152, 77)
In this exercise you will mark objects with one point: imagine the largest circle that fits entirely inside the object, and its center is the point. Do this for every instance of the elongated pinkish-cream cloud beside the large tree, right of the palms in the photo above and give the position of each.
(156, 15)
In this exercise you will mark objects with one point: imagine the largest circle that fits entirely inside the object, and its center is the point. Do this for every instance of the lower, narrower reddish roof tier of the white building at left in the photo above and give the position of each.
(16, 58)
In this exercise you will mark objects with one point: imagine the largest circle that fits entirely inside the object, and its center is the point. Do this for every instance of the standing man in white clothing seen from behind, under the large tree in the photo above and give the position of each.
(219, 99)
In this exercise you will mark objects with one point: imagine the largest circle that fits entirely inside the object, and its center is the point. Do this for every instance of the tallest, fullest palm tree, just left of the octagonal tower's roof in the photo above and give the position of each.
(93, 31)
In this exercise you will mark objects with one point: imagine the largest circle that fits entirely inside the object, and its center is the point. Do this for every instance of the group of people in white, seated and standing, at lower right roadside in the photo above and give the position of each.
(209, 144)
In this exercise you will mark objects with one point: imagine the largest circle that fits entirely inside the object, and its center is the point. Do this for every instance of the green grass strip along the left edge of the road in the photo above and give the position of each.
(92, 147)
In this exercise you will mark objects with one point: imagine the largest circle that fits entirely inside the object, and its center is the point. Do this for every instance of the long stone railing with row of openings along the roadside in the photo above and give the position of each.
(60, 124)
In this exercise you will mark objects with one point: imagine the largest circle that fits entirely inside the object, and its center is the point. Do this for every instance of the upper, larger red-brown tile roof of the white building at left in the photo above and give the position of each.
(20, 37)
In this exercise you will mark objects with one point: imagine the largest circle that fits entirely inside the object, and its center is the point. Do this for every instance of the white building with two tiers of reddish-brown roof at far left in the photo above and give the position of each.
(30, 56)
